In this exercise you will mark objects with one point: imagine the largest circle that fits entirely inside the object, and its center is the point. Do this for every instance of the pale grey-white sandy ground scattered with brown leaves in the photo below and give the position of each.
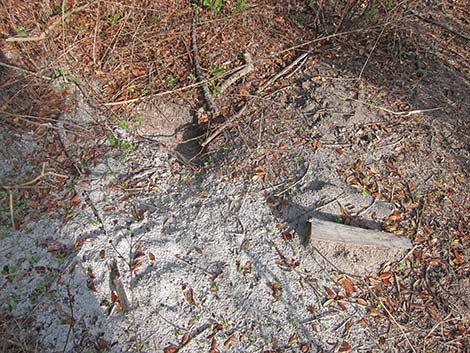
(207, 262)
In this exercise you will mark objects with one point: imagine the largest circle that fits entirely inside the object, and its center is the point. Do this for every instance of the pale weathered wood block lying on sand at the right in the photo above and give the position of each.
(331, 231)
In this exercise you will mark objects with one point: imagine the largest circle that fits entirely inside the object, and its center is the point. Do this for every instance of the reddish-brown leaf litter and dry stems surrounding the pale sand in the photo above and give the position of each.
(121, 53)
